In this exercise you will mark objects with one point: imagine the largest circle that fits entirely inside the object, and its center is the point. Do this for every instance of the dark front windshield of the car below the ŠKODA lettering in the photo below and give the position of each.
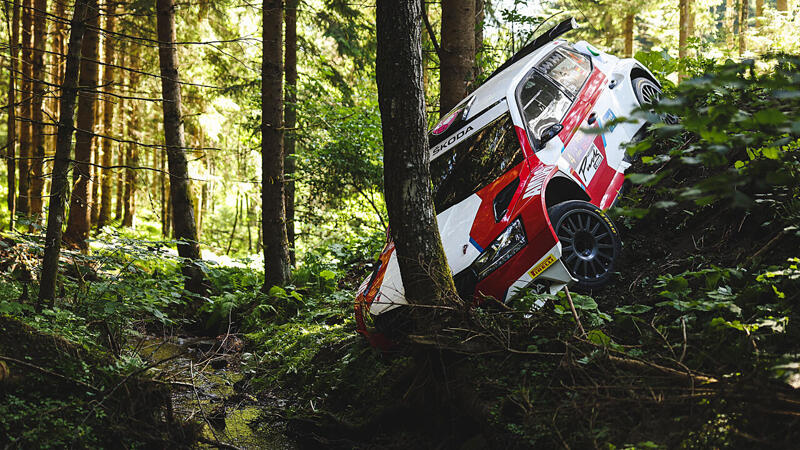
(474, 163)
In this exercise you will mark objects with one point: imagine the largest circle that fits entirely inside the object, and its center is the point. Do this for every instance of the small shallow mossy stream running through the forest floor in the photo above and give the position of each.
(205, 373)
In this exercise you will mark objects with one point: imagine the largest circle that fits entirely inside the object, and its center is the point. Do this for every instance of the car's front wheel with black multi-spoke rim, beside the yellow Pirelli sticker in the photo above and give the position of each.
(590, 244)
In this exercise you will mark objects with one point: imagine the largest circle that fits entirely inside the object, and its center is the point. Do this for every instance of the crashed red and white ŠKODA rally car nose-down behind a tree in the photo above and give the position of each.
(522, 171)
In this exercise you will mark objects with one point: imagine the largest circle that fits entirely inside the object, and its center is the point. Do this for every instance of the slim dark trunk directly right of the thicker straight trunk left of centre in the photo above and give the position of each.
(290, 119)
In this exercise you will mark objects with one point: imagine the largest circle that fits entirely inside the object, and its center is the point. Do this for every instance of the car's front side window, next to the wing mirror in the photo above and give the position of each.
(543, 103)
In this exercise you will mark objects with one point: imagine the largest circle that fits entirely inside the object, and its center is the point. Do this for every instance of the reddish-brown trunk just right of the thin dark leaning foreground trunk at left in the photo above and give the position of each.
(78, 221)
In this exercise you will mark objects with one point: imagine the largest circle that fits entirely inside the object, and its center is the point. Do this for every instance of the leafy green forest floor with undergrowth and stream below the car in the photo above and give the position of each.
(692, 345)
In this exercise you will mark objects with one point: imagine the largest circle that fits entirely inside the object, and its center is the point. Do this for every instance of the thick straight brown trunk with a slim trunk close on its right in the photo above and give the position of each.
(276, 244)
